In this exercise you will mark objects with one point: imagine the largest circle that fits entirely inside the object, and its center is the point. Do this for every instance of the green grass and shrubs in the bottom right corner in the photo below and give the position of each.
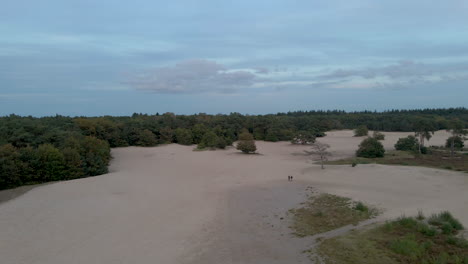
(405, 240)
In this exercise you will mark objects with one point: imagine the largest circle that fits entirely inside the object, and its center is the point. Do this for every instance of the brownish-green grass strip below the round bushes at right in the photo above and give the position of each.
(436, 159)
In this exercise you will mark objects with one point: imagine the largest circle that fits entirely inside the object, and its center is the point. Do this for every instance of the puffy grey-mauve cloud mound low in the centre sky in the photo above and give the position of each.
(193, 76)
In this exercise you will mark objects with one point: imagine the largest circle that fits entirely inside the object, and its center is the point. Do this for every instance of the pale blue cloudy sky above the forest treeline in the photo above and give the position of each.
(108, 57)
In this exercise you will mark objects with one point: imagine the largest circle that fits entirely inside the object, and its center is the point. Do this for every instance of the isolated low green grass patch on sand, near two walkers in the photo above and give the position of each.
(326, 212)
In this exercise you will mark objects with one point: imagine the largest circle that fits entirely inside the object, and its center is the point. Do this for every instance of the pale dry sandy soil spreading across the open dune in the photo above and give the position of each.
(170, 204)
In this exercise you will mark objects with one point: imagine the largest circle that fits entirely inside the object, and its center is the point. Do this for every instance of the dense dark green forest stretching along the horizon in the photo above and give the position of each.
(36, 150)
